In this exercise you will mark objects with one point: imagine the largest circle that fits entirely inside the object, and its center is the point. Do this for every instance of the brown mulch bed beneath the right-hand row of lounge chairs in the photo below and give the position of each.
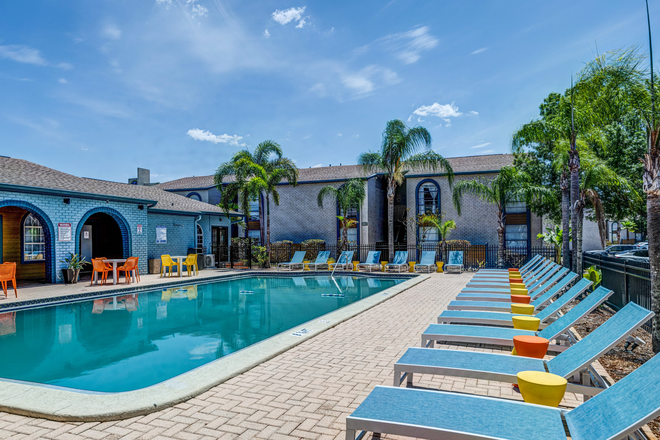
(619, 362)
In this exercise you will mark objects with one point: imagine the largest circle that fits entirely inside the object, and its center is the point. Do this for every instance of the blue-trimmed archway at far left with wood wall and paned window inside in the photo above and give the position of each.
(27, 239)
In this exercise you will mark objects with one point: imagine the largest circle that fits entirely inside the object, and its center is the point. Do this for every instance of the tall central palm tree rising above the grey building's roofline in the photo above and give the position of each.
(402, 149)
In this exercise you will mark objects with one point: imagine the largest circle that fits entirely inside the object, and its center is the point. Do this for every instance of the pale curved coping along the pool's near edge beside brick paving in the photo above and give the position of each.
(68, 405)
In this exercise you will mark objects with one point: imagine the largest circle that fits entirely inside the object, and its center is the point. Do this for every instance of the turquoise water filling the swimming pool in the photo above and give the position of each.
(136, 340)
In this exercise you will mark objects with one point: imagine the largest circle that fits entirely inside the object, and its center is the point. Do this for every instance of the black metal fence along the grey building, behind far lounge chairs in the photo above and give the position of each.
(474, 256)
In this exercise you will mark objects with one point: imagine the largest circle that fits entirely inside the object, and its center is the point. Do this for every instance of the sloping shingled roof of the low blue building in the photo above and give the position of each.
(23, 176)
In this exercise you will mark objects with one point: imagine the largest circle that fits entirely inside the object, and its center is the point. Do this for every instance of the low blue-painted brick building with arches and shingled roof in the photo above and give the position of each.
(45, 214)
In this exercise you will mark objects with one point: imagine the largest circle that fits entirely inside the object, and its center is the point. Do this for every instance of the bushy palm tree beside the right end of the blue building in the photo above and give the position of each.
(257, 175)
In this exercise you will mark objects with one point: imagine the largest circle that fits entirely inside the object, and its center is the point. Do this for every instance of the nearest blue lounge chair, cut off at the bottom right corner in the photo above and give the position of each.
(616, 413)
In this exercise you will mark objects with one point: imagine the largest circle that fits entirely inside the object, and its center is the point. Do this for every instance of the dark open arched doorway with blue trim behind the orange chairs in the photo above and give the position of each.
(103, 232)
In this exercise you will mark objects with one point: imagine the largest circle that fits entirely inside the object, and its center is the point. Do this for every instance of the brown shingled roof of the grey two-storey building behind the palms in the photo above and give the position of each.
(461, 165)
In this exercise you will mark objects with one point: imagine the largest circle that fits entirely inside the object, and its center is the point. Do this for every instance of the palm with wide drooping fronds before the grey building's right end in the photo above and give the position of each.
(509, 186)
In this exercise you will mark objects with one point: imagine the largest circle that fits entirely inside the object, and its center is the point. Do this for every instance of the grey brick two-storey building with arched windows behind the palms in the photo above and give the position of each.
(298, 217)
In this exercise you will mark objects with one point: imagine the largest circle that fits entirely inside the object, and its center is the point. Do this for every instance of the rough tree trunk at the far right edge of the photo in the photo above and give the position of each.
(651, 180)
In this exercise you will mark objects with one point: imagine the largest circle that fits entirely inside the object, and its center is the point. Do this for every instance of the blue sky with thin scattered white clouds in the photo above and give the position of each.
(98, 88)
